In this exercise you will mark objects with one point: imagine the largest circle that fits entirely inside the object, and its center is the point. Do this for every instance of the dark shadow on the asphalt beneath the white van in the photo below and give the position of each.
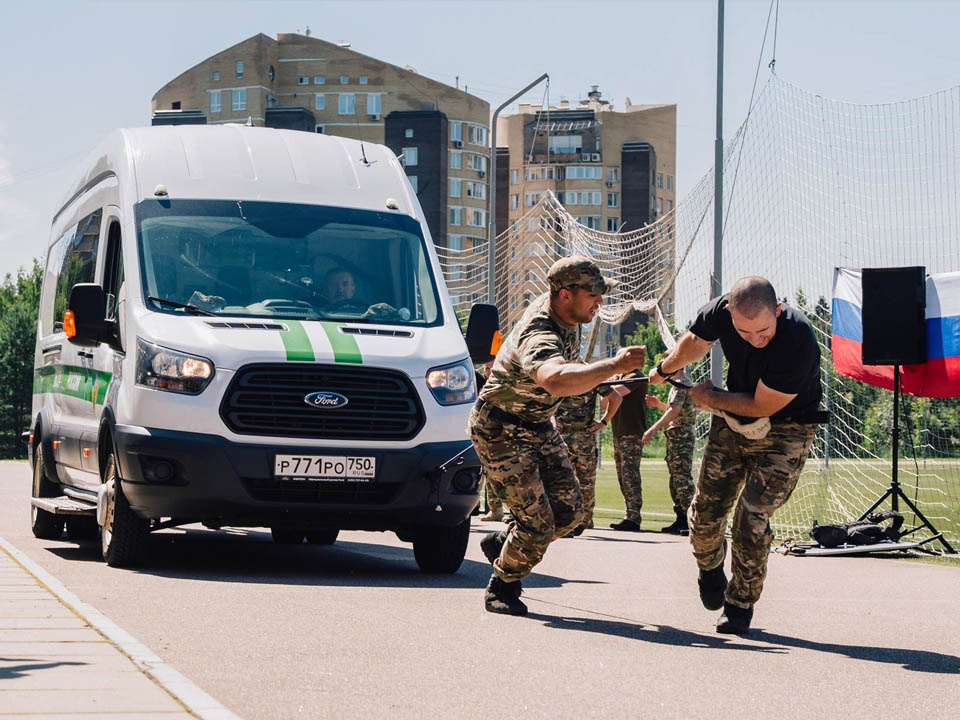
(251, 556)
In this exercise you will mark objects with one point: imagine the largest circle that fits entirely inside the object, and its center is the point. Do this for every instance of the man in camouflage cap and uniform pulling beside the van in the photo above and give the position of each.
(521, 451)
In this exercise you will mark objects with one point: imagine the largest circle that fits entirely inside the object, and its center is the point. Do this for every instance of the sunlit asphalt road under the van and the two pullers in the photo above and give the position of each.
(616, 628)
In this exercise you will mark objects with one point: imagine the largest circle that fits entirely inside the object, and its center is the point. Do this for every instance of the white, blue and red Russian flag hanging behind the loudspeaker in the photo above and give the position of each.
(939, 376)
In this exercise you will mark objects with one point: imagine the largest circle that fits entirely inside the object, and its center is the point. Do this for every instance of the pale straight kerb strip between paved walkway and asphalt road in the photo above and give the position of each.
(193, 698)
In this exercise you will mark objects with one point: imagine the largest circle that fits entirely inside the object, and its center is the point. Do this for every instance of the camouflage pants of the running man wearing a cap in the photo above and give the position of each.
(532, 473)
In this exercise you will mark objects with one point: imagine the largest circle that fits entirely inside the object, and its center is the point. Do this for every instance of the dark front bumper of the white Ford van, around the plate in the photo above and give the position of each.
(210, 479)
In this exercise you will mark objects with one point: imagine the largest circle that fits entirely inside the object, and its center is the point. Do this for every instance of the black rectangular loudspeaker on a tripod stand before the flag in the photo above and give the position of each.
(894, 326)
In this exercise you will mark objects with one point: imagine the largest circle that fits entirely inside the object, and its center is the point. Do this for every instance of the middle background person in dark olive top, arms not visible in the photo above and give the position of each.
(628, 427)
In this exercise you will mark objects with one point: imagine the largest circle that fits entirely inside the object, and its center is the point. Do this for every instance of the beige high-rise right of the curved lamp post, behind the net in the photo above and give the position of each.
(614, 170)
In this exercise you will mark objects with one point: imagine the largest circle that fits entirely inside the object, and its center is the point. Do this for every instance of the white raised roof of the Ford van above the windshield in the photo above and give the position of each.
(248, 163)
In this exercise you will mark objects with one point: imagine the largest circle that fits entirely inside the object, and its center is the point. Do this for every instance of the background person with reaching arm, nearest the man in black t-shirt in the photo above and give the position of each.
(678, 421)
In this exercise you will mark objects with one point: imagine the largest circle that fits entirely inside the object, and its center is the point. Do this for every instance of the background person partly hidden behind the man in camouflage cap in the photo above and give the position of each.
(578, 426)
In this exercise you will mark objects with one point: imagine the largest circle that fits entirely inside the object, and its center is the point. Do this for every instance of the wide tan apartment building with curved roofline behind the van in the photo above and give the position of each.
(303, 83)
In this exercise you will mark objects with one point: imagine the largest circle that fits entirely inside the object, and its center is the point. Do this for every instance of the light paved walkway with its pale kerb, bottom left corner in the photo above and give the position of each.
(60, 658)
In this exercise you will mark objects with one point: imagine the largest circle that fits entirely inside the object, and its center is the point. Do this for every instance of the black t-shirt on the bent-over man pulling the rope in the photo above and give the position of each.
(790, 363)
